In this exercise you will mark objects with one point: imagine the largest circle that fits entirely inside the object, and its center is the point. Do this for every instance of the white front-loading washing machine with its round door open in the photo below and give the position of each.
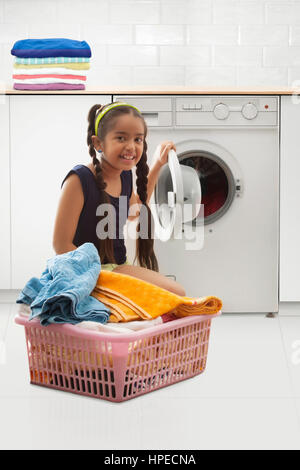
(228, 246)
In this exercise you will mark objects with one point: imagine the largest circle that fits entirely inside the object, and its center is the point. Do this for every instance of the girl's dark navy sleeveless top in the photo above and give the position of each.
(86, 227)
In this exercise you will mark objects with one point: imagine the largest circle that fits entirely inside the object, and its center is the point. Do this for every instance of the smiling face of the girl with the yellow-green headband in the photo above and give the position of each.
(123, 145)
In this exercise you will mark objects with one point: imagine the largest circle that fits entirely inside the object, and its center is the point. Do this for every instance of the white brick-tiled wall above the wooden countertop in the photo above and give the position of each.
(166, 42)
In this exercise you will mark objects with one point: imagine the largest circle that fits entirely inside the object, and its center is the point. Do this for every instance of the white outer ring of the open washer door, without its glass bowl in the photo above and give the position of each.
(168, 201)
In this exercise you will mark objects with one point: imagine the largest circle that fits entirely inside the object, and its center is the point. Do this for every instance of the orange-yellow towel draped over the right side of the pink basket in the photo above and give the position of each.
(130, 299)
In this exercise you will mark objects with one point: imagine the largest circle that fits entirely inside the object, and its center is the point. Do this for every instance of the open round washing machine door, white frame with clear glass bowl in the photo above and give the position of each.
(176, 187)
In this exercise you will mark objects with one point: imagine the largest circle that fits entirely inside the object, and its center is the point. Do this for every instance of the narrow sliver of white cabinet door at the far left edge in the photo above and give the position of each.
(4, 195)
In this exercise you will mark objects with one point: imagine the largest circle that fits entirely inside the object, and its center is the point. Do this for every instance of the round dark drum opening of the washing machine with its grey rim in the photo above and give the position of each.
(216, 180)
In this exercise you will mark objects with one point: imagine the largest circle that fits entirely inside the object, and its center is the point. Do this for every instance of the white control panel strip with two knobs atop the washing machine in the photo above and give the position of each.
(206, 110)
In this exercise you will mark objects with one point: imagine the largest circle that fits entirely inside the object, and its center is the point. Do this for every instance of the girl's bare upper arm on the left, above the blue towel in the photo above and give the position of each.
(67, 216)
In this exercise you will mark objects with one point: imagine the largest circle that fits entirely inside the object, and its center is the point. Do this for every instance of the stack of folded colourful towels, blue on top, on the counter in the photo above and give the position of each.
(50, 64)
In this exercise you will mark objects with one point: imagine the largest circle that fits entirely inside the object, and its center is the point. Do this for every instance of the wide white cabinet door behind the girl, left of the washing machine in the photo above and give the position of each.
(48, 137)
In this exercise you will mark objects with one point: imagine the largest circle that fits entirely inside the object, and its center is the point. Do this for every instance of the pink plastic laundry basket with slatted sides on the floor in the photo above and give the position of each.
(116, 367)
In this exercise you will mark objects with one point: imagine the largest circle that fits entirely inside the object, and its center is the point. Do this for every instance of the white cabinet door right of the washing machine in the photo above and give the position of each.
(289, 200)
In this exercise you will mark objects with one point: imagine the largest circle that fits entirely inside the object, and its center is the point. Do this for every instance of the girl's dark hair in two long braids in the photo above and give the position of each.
(144, 246)
